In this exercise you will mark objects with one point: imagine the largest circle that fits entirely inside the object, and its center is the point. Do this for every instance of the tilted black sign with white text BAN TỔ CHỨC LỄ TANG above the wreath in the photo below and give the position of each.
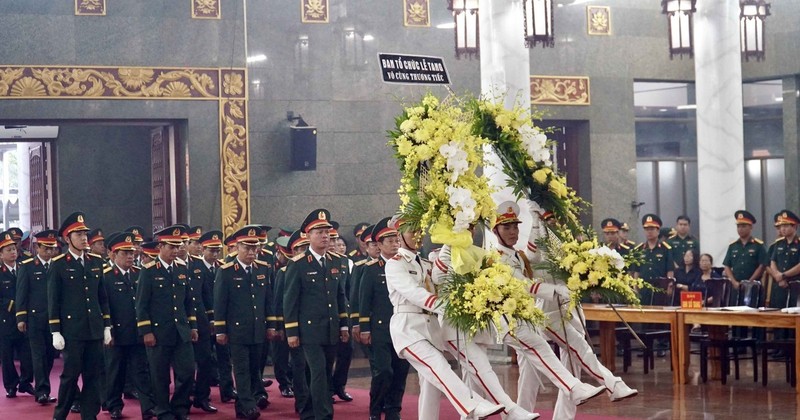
(413, 69)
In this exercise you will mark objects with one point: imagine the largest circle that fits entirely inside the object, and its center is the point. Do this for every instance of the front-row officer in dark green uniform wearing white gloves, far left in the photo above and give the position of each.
(79, 318)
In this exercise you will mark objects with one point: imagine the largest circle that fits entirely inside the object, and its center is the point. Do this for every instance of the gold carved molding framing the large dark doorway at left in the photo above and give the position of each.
(227, 86)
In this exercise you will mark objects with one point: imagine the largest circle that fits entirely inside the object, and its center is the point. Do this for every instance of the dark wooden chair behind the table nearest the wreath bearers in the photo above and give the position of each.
(651, 334)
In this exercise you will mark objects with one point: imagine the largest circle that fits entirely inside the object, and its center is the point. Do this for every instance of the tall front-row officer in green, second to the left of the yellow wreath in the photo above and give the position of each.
(315, 309)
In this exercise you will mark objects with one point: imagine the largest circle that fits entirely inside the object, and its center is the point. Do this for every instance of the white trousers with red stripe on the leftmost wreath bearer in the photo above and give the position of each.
(431, 365)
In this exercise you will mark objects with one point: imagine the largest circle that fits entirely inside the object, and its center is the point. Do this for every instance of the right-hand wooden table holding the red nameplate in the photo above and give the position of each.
(687, 317)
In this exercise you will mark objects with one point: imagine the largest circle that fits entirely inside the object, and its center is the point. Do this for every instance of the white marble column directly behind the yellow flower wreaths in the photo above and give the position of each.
(505, 75)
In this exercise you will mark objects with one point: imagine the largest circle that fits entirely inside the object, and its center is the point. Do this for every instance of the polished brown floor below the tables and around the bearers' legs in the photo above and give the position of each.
(658, 398)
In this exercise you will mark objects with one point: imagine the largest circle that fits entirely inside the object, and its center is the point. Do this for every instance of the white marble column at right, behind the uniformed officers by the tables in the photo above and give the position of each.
(720, 147)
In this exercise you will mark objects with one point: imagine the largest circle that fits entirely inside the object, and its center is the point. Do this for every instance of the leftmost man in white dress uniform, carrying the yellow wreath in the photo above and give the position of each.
(415, 331)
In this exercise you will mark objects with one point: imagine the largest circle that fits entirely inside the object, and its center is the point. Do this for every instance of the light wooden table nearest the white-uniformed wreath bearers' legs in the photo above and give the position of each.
(646, 315)
